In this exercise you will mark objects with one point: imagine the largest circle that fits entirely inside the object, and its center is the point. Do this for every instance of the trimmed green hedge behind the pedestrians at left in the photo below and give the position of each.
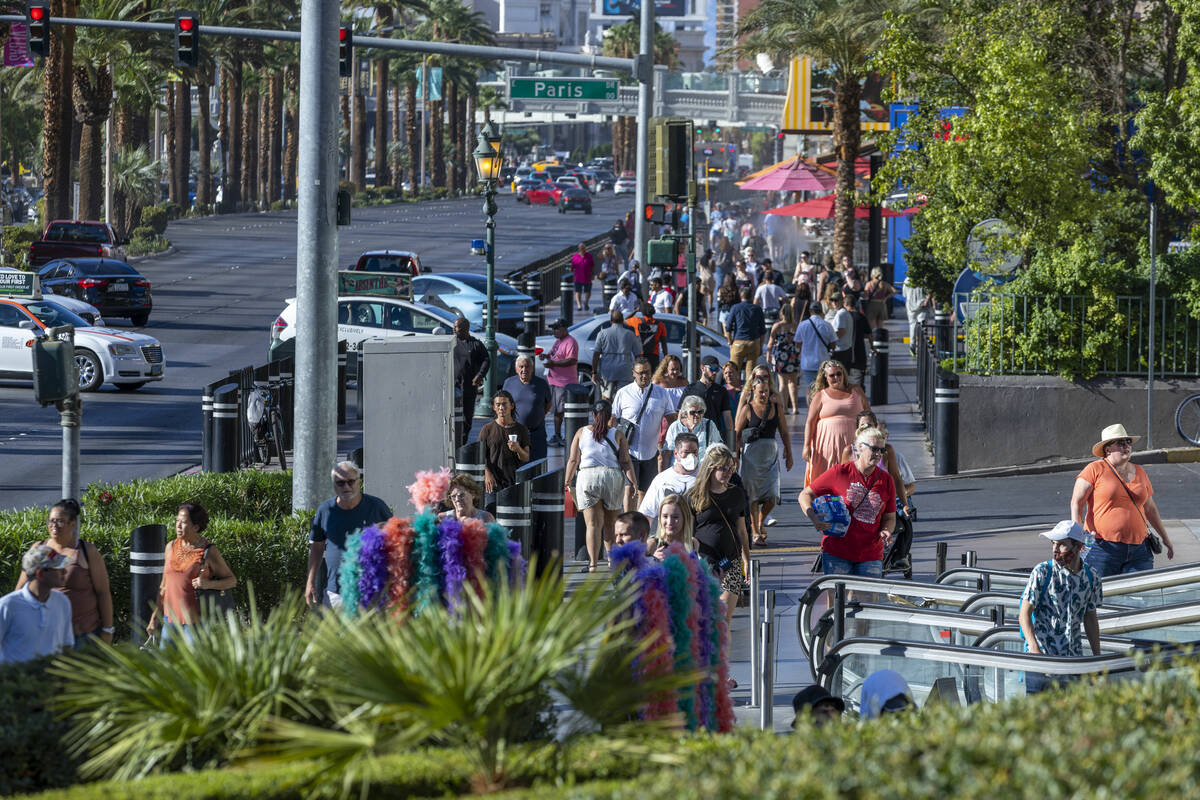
(251, 524)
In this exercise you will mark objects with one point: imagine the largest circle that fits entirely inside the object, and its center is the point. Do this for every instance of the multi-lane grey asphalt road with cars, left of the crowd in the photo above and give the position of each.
(215, 300)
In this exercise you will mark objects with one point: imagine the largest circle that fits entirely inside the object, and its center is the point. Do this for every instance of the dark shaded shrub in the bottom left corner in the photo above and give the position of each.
(31, 735)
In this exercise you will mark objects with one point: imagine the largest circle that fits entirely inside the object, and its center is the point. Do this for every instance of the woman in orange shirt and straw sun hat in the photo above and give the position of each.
(1119, 500)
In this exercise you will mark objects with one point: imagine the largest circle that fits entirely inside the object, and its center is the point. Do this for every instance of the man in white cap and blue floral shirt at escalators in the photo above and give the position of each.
(1061, 596)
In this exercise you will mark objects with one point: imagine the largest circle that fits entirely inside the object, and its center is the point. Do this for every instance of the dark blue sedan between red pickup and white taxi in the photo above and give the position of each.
(113, 287)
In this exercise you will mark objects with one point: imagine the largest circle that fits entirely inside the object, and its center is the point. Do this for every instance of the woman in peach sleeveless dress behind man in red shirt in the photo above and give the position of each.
(833, 407)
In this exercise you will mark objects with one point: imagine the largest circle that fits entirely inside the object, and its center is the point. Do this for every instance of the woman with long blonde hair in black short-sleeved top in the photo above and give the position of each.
(721, 525)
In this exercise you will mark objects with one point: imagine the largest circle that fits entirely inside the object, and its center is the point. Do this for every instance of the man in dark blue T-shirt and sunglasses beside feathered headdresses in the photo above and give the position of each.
(337, 519)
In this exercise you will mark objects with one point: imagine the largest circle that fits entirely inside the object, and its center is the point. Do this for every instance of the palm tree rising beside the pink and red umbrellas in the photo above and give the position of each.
(841, 37)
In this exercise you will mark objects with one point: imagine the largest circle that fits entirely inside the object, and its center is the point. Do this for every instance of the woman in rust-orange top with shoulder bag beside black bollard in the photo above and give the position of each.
(185, 570)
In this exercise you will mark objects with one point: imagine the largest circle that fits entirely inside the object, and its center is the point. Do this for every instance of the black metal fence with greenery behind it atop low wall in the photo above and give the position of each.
(1018, 335)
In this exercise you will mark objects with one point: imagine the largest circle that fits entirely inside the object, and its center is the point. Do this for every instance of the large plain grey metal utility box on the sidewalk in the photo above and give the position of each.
(409, 413)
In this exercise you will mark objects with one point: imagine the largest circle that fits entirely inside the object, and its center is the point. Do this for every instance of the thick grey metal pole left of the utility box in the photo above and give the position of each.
(316, 429)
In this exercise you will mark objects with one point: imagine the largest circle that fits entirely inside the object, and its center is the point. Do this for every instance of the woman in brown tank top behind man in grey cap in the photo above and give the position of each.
(86, 582)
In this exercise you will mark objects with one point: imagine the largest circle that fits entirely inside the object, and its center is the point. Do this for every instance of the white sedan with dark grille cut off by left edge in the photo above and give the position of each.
(122, 358)
